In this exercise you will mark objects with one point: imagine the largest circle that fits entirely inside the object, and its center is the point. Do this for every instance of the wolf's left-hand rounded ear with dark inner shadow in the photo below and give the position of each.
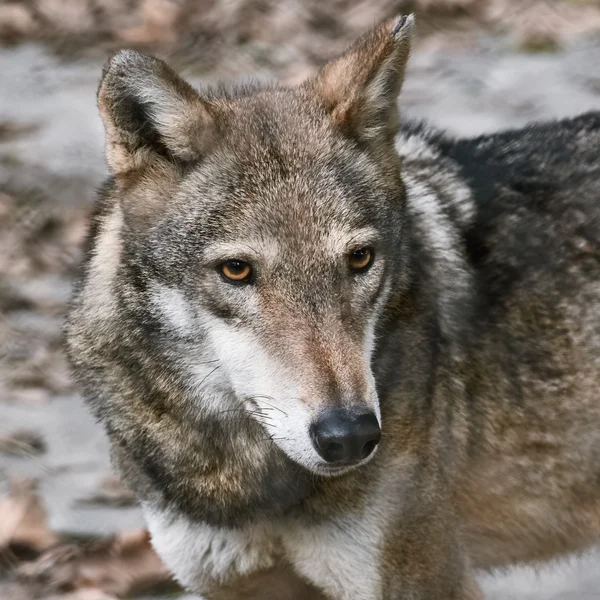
(149, 111)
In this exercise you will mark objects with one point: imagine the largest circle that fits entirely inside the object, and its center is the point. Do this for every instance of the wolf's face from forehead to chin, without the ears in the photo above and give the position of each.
(283, 263)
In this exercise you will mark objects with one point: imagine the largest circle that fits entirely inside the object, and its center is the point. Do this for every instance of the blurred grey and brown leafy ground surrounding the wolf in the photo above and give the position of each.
(68, 529)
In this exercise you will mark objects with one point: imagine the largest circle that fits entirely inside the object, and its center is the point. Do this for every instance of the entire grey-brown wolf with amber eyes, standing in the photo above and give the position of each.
(339, 355)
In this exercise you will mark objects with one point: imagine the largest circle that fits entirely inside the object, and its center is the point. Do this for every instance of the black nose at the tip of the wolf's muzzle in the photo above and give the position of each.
(341, 435)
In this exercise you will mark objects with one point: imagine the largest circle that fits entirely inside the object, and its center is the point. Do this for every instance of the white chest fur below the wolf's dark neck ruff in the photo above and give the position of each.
(340, 558)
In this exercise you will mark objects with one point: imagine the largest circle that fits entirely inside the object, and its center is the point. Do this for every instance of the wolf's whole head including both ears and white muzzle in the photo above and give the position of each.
(258, 231)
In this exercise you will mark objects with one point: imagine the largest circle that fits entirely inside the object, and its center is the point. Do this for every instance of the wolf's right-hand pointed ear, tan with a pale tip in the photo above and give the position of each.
(359, 89)
